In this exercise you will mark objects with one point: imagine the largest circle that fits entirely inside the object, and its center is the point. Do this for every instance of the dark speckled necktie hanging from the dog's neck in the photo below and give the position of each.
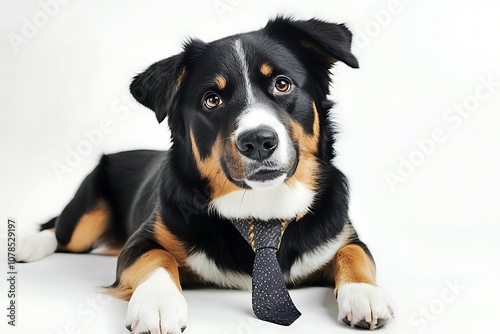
(270, 298)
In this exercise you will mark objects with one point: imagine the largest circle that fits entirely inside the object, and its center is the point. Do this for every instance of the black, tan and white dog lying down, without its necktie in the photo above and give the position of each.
(252, 138)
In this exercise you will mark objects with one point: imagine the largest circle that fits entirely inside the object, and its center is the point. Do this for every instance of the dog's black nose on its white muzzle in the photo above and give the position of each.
(258, 144)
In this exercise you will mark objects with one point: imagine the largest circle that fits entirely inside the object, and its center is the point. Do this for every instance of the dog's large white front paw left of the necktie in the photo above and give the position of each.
(157, 306)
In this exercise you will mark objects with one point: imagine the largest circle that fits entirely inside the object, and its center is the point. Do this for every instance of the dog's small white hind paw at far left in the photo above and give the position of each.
(37, 246)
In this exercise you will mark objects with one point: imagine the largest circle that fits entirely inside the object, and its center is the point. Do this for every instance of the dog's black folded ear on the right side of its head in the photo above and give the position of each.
(328, 42)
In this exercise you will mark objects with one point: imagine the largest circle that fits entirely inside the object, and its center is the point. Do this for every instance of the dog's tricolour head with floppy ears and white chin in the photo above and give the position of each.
(251, 110)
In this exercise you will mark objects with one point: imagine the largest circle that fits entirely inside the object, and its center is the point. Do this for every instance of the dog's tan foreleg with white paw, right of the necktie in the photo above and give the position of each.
(361, 302)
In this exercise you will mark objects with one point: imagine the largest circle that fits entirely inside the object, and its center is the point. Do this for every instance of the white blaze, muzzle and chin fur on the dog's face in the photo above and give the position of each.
(272, 198)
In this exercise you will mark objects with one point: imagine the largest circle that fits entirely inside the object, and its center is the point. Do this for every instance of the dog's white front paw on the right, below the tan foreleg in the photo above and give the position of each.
(363, 305)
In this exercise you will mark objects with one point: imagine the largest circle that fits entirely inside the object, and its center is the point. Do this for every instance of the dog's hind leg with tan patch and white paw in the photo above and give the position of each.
(83, 221)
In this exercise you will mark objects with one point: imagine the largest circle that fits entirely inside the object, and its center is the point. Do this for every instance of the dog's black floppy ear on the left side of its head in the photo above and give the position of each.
(157, 87)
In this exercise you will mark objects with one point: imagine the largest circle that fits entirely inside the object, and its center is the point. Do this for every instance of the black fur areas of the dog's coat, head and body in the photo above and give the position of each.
(140, 184)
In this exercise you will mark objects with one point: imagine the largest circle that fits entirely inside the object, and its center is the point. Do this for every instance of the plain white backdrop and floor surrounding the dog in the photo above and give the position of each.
(420, 62)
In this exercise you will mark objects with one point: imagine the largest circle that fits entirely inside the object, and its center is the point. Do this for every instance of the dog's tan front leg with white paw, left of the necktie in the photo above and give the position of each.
(148, 276)
